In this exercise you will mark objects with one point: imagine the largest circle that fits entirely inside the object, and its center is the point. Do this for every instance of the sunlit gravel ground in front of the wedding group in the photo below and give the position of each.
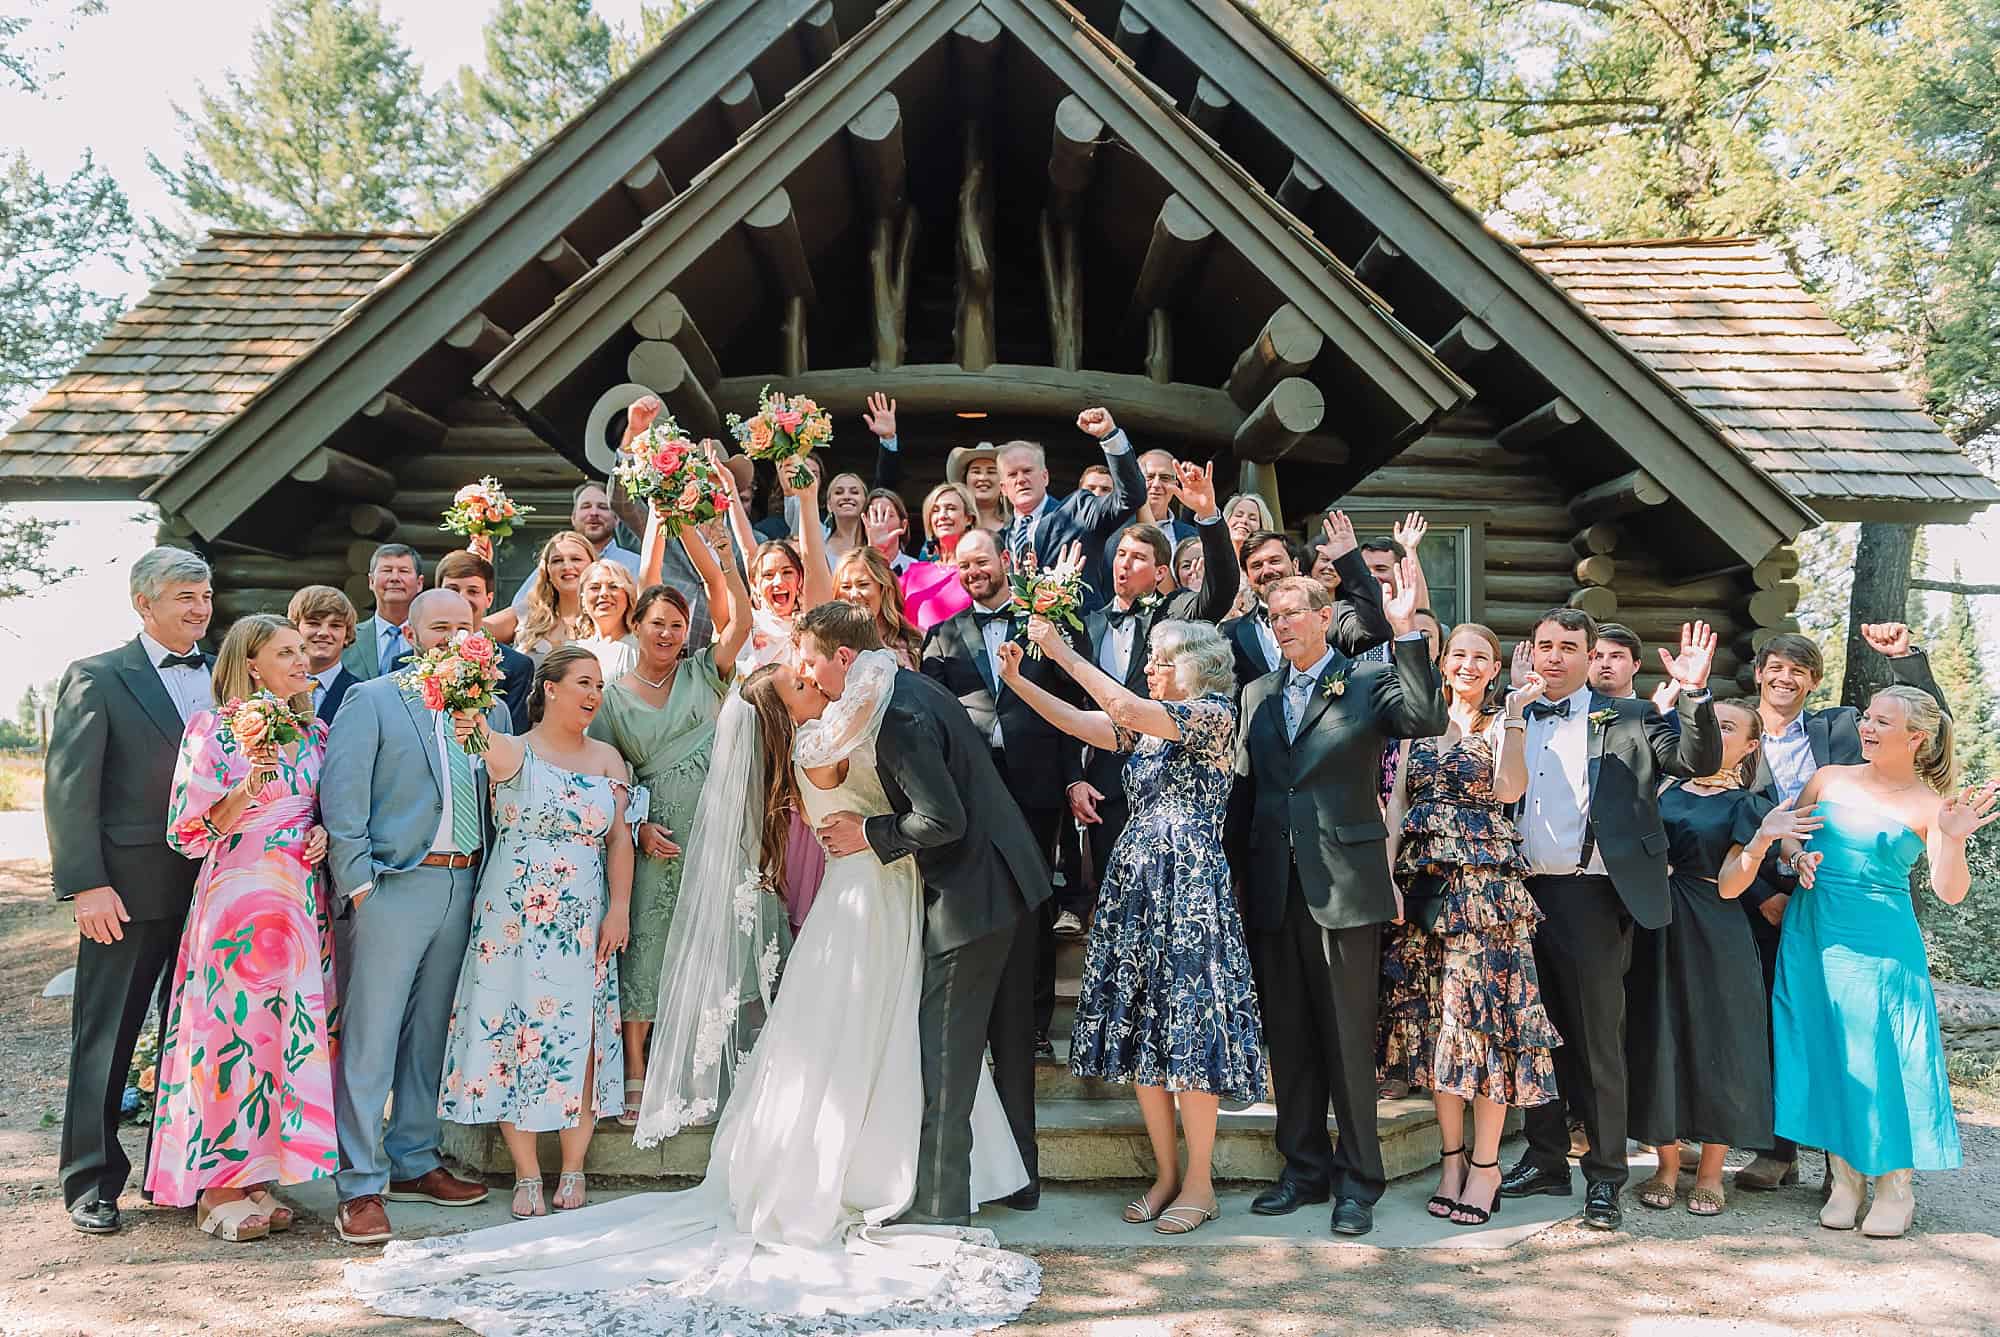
(1763, 1268)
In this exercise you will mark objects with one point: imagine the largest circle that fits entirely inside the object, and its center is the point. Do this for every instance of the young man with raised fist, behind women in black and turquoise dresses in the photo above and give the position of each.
(1797, 744)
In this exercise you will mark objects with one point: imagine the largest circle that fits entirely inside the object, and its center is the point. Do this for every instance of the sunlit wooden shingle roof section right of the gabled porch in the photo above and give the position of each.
(1731, 327)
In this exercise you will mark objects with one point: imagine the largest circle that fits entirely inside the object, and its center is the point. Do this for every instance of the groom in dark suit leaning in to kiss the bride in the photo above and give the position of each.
(983, 884)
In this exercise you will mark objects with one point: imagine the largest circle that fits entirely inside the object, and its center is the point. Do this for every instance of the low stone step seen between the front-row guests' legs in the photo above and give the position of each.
(1081, 1138)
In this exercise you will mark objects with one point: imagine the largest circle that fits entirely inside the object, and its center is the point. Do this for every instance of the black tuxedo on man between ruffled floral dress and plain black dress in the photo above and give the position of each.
(1583, 948)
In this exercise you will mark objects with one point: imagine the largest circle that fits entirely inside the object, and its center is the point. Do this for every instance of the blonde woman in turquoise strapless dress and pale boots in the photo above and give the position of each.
(1859, 1062)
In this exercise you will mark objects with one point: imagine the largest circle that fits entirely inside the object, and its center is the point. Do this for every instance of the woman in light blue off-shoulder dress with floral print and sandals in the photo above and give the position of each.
(535, 1026)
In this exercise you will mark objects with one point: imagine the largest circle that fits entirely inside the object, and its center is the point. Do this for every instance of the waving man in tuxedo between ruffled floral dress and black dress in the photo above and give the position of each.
(1597, 858)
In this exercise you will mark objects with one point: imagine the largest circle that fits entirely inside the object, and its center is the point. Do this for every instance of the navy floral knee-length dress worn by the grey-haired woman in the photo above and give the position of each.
(1167, 996)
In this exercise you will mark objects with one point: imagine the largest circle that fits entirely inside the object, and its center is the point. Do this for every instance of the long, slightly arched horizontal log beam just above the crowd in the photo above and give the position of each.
(1185, 413)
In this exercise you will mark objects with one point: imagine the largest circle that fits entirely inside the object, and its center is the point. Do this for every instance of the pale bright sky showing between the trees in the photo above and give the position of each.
(121, 77)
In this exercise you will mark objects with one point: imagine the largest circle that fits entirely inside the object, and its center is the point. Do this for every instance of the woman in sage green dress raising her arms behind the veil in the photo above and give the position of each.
(663, 720)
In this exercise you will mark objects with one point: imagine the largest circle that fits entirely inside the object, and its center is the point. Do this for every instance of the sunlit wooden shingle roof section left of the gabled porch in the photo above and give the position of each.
(193, 351)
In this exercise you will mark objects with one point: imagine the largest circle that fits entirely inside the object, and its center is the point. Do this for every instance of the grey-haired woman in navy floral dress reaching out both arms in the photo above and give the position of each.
(1167, 1002)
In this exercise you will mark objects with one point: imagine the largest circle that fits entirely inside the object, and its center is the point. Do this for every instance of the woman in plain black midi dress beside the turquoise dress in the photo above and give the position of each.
(1697, 1012)
